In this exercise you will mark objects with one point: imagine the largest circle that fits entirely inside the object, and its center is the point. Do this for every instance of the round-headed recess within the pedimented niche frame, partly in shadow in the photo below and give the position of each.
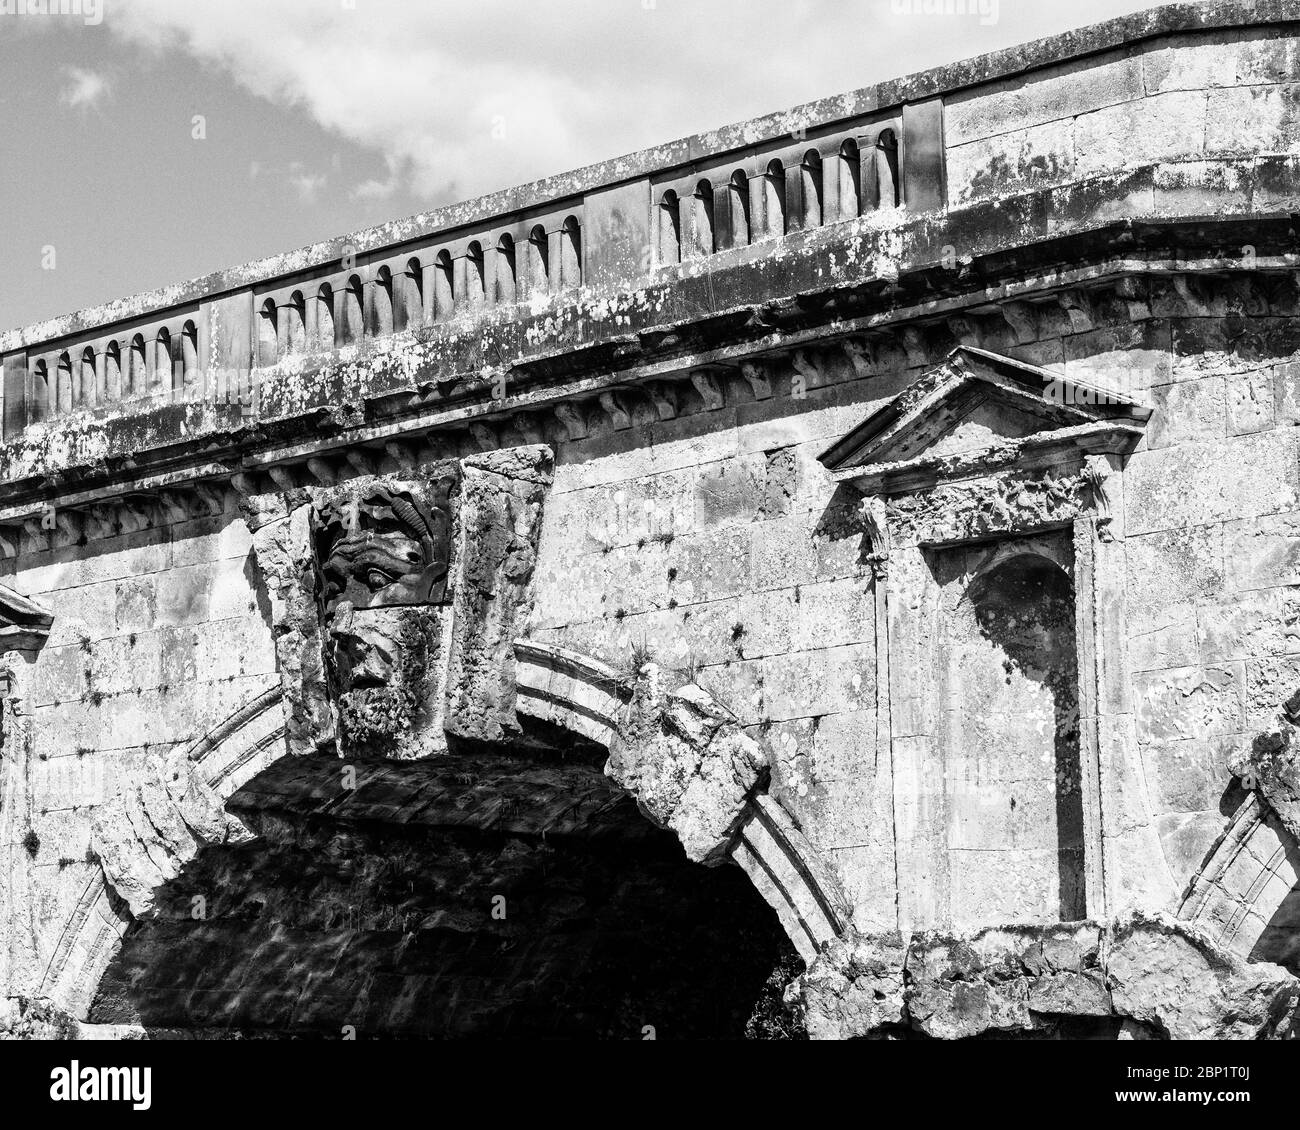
(1009, 738)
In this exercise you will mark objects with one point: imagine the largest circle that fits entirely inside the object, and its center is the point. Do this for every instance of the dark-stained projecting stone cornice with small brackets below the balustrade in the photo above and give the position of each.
(655, 373)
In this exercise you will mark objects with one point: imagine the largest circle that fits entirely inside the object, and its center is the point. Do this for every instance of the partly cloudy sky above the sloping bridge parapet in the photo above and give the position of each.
(148, 142)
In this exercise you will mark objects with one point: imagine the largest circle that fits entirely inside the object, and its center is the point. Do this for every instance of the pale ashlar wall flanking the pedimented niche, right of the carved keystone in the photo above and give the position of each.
(717, 543)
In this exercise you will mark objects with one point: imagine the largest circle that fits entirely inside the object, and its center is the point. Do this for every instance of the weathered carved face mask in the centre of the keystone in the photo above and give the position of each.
(384, 564)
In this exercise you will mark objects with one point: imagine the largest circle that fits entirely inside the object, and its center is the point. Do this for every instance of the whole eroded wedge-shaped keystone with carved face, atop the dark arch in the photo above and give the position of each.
(396, 601)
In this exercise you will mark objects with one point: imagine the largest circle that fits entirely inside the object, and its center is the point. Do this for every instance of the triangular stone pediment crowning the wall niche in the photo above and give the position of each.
(978, 401)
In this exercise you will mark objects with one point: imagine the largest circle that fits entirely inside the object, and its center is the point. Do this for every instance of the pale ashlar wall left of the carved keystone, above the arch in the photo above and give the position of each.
(158, 638)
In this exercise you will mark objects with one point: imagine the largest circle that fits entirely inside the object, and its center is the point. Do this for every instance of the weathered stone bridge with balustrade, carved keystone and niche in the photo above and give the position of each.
(838, 574)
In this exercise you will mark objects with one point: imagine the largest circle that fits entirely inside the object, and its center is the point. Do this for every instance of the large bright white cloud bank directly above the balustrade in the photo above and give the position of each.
(463, 98)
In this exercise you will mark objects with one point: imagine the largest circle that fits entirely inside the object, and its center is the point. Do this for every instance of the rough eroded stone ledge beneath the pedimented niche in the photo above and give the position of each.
(1139, 979)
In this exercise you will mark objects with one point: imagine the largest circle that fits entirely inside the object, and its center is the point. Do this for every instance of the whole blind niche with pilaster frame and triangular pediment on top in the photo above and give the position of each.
(983, 462)
